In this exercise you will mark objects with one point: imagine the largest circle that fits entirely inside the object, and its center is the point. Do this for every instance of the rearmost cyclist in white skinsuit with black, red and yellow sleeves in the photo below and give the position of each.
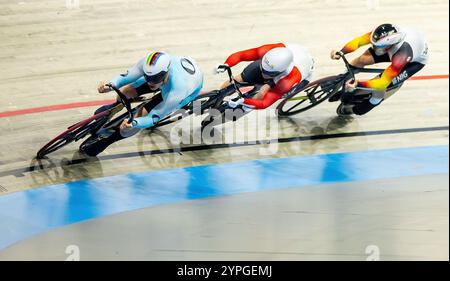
(404, 47)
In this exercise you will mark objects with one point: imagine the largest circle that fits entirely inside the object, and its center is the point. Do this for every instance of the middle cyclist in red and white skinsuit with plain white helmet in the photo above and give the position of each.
(277, 67)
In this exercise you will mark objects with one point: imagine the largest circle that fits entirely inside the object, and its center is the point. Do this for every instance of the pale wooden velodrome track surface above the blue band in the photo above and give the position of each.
(53, 55)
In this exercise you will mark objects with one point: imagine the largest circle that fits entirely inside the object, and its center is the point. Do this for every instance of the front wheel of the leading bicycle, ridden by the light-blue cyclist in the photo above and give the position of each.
(74, 133)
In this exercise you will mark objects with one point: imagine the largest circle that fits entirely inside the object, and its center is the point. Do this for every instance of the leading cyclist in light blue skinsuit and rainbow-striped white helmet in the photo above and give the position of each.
(179, 79)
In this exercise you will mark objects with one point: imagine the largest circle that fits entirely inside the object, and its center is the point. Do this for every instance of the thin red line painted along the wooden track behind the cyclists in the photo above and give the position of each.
(101, 102)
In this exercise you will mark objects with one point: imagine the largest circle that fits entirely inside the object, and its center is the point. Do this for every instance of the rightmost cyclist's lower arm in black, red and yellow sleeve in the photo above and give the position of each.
(399, 61)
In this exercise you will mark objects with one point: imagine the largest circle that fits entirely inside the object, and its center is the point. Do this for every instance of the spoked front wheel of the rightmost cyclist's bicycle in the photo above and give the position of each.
(315, 93)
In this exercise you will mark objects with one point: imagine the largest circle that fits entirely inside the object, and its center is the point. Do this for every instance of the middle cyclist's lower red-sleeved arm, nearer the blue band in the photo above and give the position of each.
(282, 87)
